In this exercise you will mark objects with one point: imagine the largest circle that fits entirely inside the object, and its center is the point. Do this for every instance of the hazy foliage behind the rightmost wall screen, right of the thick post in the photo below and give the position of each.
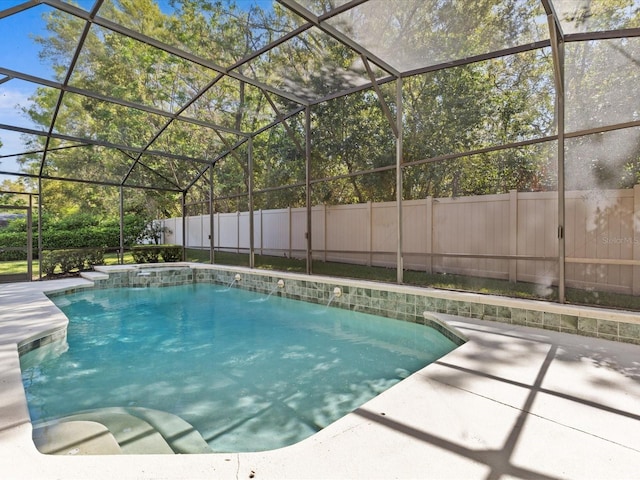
(602, 79)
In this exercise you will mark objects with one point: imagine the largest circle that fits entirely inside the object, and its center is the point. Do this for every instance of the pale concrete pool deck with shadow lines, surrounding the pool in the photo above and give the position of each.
(513, 402)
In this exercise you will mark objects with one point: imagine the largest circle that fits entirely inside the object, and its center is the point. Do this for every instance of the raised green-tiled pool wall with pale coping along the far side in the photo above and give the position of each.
(404, 303)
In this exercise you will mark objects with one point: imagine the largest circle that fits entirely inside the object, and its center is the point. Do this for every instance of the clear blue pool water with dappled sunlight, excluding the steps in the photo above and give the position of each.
(248, 373)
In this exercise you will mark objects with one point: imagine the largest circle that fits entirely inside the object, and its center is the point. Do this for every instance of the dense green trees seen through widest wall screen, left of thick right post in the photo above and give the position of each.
(474, 107)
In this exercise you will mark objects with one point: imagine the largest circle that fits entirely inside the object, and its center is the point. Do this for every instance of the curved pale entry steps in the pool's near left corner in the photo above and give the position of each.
(133, 430)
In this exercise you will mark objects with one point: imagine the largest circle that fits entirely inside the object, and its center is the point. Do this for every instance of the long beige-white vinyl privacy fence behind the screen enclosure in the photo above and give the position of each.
(511, 236)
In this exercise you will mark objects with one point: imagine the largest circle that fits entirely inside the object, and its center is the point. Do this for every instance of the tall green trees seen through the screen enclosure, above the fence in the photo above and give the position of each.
(446, 113)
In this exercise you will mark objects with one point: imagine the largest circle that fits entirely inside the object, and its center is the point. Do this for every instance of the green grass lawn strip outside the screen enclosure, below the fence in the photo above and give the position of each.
(381, 274)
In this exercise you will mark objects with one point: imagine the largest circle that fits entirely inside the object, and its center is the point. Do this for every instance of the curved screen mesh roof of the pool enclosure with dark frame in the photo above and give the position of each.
(188, 81)
